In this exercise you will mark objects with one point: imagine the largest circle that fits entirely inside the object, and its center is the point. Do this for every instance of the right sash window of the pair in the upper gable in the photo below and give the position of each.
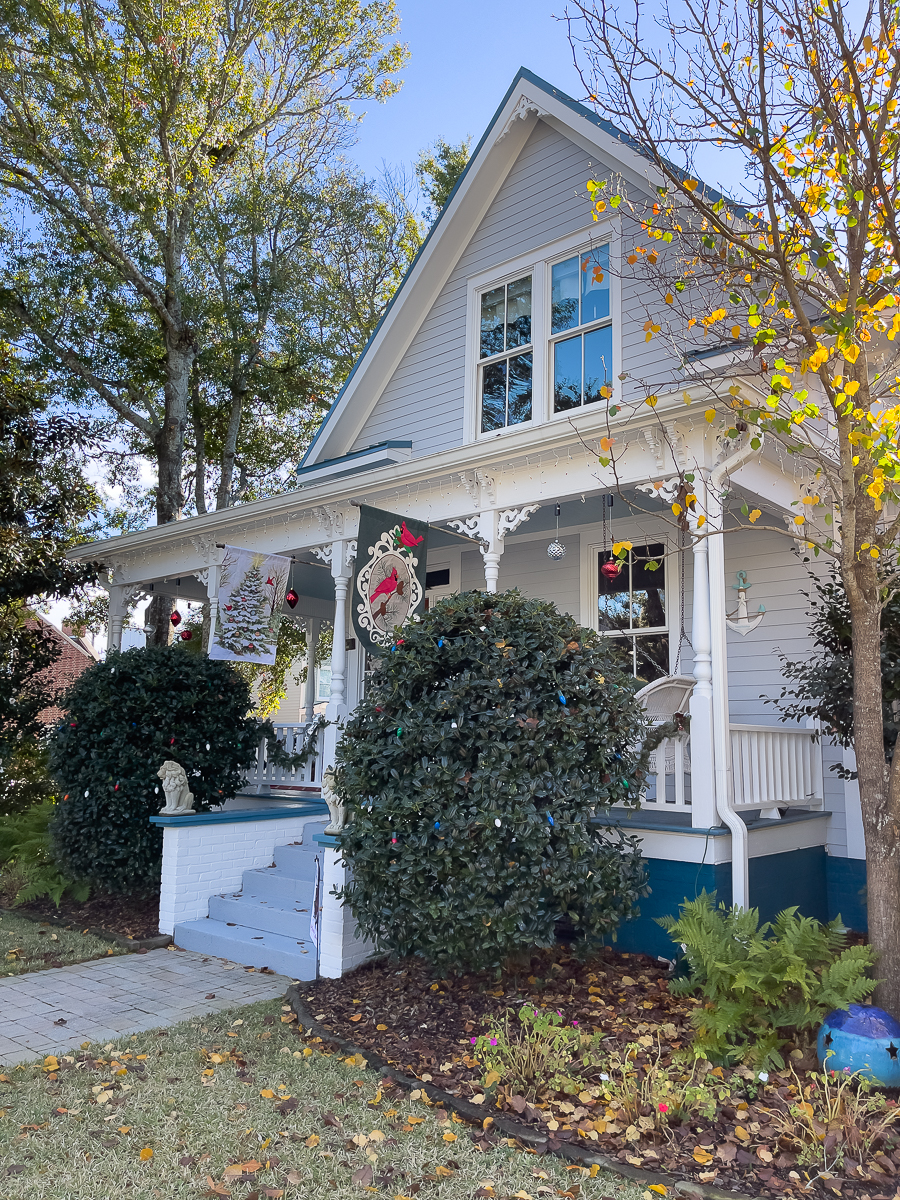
(580, 299)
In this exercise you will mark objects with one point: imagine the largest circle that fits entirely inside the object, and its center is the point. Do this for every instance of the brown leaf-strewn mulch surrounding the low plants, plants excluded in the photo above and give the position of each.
(424, 1027)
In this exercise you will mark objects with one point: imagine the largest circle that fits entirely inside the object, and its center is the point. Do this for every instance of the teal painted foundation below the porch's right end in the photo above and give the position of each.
(777, 881)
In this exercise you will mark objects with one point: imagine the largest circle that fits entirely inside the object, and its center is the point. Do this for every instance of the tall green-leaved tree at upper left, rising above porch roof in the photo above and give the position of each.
(118, 123)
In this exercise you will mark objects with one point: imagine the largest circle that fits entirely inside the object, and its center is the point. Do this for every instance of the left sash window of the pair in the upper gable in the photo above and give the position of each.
(507, 357)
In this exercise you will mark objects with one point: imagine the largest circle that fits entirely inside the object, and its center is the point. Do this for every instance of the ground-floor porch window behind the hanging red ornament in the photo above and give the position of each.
(633, 608)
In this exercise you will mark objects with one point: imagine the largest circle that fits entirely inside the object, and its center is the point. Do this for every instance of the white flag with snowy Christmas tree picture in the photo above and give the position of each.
(251, 595)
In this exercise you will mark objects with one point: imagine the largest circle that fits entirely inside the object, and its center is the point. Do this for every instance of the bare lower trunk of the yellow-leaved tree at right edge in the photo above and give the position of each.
(881, 809)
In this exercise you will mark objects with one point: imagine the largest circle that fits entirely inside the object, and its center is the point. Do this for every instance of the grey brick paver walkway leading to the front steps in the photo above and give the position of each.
(49, 1012)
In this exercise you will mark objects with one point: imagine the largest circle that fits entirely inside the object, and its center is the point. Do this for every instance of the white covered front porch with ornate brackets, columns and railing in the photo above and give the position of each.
(733, 791)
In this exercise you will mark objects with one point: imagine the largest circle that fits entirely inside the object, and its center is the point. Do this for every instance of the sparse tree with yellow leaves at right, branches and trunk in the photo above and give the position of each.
(801, 280)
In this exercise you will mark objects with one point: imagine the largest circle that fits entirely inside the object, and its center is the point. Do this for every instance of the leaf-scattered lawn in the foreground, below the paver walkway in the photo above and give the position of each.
(238, 1105)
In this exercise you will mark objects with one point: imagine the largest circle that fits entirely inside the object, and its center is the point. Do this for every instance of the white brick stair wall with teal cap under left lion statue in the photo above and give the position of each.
(205, 857)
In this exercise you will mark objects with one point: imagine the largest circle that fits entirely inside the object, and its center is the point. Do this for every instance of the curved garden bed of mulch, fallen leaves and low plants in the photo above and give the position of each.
(731, 1129)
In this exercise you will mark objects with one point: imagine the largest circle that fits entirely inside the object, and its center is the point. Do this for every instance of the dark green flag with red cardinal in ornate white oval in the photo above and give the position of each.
(389, 581)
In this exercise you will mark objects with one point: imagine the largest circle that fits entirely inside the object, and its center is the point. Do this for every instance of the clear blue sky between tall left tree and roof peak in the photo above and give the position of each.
(464, 57)
